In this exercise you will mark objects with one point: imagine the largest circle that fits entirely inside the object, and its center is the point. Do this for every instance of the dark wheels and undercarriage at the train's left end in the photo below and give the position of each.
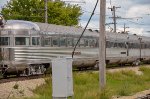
(23, 69)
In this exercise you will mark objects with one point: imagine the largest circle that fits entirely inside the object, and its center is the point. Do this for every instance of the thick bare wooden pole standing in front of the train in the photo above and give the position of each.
(102, 51)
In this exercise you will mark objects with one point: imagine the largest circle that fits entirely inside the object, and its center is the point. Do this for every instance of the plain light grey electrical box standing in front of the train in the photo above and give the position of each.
(62, 81)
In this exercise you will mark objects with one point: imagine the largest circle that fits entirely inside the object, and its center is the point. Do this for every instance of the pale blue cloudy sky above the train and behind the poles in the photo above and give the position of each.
(135, 14)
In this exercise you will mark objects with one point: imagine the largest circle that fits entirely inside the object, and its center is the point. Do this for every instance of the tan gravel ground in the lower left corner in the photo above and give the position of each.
(19, 89)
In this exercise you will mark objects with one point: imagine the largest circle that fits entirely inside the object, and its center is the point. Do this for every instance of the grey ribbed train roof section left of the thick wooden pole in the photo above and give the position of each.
(59, 29)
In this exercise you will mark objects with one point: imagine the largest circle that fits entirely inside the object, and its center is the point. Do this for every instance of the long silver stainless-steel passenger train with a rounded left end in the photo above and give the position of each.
(28, 48)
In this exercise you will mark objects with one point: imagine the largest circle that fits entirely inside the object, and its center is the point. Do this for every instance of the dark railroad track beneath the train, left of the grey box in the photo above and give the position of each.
(21, 78)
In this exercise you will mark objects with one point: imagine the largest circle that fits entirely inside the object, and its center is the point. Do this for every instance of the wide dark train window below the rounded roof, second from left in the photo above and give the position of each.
(22, 40)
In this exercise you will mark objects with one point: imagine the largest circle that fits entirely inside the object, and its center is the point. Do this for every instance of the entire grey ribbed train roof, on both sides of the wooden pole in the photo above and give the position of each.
(70, 30)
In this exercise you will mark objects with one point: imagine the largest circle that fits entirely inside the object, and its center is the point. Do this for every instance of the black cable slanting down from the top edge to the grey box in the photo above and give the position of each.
(85, 28)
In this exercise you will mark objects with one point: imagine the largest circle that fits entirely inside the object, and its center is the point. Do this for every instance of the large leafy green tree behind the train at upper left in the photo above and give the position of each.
(33, 10)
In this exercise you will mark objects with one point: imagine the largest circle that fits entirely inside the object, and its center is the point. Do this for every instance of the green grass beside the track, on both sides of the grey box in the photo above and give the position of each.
(86, 85)
